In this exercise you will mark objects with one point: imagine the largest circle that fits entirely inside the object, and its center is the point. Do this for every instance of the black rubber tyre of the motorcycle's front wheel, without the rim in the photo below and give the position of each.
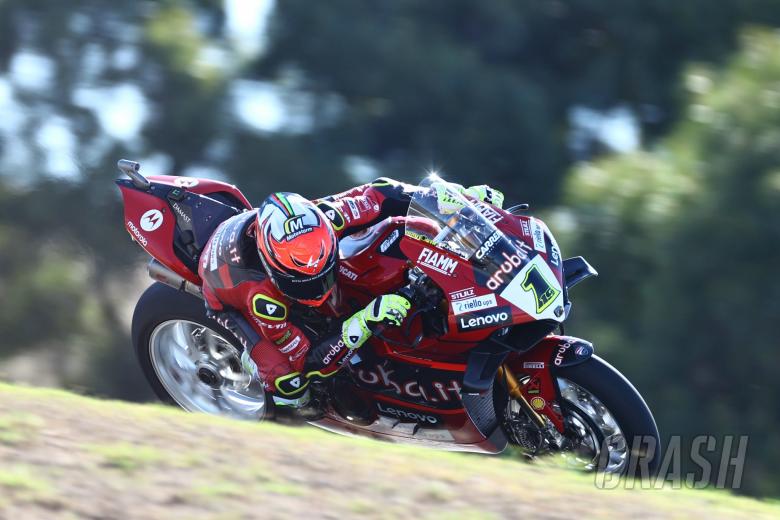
(629, 410)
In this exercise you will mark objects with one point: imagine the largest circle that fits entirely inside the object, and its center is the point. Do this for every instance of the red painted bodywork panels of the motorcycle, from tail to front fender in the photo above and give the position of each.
(416, 391)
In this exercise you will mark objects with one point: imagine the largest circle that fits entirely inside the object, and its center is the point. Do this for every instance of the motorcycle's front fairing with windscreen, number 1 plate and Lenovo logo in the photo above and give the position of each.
(496, 269)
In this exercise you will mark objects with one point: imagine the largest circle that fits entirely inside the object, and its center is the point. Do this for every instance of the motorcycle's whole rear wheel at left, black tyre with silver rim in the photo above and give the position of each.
(189, 359)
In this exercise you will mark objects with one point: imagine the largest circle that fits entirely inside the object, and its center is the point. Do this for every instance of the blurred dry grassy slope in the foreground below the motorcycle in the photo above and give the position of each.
(66, 456)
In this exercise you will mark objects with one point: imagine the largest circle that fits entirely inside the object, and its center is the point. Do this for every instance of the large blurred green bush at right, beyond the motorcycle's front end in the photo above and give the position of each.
(688, 240)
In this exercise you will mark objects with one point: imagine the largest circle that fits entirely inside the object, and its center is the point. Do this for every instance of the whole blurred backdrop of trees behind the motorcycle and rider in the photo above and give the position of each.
(645, 130)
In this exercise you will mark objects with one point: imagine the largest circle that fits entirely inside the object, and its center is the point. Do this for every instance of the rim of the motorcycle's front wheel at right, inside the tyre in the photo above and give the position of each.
(590, 411)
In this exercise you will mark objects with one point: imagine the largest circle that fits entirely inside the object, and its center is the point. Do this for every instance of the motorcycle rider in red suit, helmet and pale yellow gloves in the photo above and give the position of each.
(262, 267)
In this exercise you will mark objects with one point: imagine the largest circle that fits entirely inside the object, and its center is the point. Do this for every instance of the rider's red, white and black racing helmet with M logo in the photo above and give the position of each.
(297, 247)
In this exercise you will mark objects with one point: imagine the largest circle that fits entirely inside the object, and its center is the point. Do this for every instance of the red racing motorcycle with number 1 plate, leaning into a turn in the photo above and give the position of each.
(476, 366)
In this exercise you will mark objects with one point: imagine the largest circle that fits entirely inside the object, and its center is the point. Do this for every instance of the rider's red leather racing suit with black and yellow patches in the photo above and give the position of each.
(242, 298)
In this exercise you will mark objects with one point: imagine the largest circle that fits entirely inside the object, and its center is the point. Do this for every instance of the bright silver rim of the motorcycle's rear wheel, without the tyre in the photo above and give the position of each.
(202, 371)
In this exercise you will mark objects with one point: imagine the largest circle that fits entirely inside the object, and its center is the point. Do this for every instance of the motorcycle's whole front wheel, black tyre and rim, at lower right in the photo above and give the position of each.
(608, 425)
